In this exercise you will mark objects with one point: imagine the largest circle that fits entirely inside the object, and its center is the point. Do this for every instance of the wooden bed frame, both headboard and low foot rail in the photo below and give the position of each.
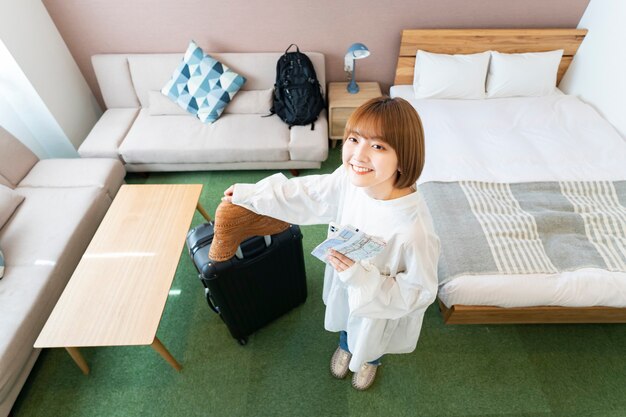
(468, 41)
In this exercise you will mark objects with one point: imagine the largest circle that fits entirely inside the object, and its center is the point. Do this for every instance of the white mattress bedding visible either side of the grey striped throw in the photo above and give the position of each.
(523, 139)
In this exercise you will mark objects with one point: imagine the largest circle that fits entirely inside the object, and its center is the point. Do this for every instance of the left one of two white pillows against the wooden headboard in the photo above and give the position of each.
(450, 76)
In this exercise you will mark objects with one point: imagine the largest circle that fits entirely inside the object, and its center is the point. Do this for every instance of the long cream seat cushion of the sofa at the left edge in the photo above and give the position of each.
(42, 252)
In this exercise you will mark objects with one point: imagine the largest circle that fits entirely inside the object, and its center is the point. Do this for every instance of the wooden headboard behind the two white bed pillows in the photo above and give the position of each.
(470, 41)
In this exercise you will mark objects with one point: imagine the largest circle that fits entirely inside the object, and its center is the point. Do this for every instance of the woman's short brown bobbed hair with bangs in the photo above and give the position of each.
(395, 122)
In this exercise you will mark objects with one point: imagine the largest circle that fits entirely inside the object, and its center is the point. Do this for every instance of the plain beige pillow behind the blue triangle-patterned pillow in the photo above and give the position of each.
(244, 102)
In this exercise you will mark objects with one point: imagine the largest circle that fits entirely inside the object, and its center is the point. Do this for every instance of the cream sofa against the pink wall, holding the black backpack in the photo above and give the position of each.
(145, 142)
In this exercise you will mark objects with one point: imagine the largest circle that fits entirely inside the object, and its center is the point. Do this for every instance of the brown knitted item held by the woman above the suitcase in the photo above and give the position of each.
(234, 224)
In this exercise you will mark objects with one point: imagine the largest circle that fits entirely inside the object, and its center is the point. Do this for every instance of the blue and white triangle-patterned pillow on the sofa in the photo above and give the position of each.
(202, 85)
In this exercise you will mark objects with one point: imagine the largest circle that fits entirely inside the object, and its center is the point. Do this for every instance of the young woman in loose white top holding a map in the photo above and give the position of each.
(377, 304)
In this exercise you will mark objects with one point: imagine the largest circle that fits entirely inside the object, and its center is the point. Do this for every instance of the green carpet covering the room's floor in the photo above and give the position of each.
(520, 370)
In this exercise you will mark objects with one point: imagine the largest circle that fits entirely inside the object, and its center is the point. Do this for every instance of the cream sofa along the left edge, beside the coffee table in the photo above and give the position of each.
(64, 201)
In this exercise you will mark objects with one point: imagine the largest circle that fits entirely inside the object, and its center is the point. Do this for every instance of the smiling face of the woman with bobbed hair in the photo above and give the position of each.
(371, 164)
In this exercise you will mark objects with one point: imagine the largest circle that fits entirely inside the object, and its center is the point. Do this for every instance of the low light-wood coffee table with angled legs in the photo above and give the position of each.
(118, 291)
